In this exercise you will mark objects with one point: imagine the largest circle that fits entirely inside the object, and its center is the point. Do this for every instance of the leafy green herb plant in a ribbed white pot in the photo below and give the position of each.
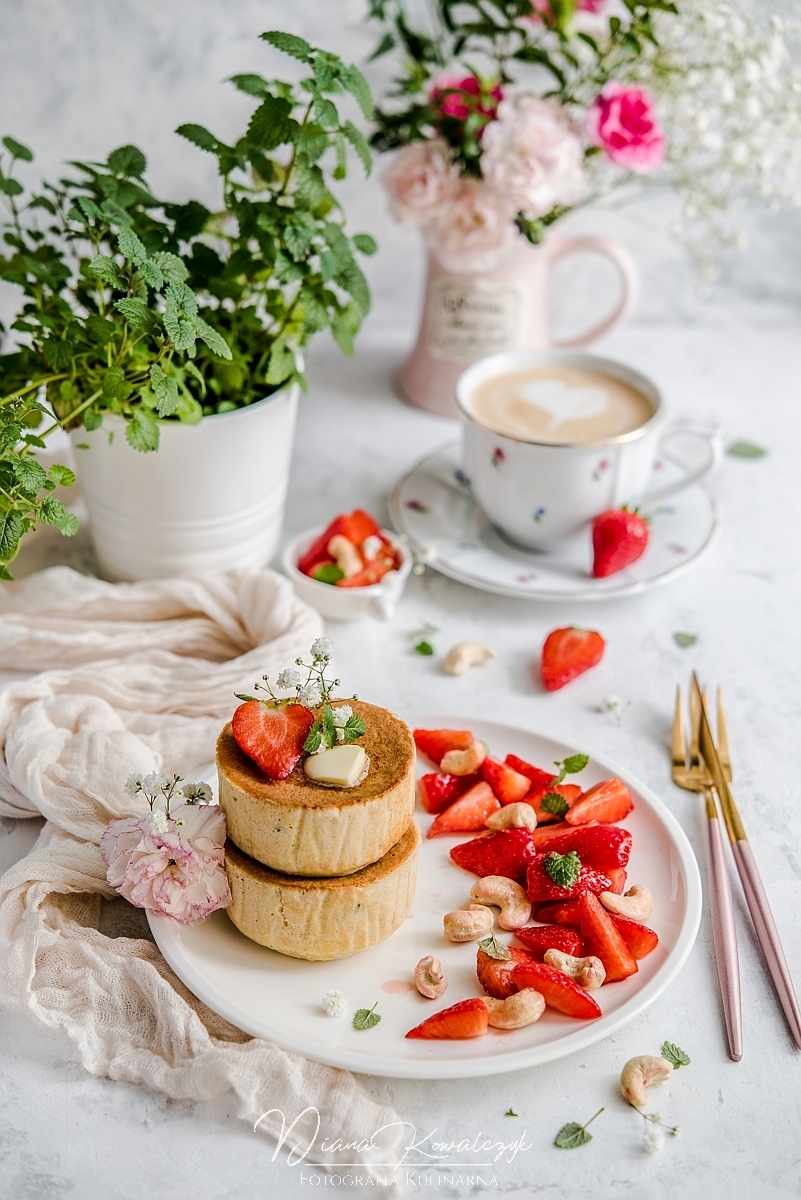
(155, 327)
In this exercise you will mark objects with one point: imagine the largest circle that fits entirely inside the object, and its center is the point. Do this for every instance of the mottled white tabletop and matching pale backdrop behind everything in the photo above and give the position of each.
(64, 1133)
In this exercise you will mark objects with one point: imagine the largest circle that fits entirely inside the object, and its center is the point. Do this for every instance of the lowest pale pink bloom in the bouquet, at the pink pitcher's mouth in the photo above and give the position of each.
(474, 230)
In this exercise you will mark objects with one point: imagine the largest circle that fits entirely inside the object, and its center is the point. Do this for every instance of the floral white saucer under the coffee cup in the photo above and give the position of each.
(435, 509)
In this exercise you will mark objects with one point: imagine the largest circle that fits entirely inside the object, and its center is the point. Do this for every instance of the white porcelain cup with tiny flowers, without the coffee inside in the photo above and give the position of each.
(539, 494)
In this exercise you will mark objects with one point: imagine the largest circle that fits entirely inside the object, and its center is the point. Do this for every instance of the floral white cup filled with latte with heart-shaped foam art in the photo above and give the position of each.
(553, 439)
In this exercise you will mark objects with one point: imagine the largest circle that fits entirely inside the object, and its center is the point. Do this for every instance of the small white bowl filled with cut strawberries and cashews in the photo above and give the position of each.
(351, 569)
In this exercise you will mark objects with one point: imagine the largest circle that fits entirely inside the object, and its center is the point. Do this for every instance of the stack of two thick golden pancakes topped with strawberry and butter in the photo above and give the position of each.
(323, 861)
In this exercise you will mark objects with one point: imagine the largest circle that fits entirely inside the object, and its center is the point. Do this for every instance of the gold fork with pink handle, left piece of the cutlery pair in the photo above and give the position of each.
(690, 773)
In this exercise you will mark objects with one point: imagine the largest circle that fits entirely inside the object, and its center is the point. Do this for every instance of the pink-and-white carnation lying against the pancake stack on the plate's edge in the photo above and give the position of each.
(171, 867)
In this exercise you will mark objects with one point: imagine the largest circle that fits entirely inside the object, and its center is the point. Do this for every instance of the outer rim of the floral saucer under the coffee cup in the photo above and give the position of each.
(510, 592)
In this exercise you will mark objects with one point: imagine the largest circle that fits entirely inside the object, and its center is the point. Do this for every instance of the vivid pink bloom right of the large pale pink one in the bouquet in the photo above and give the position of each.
(622, 121)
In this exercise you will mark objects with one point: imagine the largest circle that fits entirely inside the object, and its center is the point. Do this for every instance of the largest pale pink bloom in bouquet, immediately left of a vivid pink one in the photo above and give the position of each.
(534, 157)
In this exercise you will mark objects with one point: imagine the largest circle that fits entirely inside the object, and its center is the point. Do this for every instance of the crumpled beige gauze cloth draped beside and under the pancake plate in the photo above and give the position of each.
(140, 677)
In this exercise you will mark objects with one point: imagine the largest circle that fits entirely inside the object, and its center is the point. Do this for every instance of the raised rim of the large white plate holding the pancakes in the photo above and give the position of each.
(166, 933)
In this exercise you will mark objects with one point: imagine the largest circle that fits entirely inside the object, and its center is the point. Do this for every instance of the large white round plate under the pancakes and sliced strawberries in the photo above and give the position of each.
(279, 999)
